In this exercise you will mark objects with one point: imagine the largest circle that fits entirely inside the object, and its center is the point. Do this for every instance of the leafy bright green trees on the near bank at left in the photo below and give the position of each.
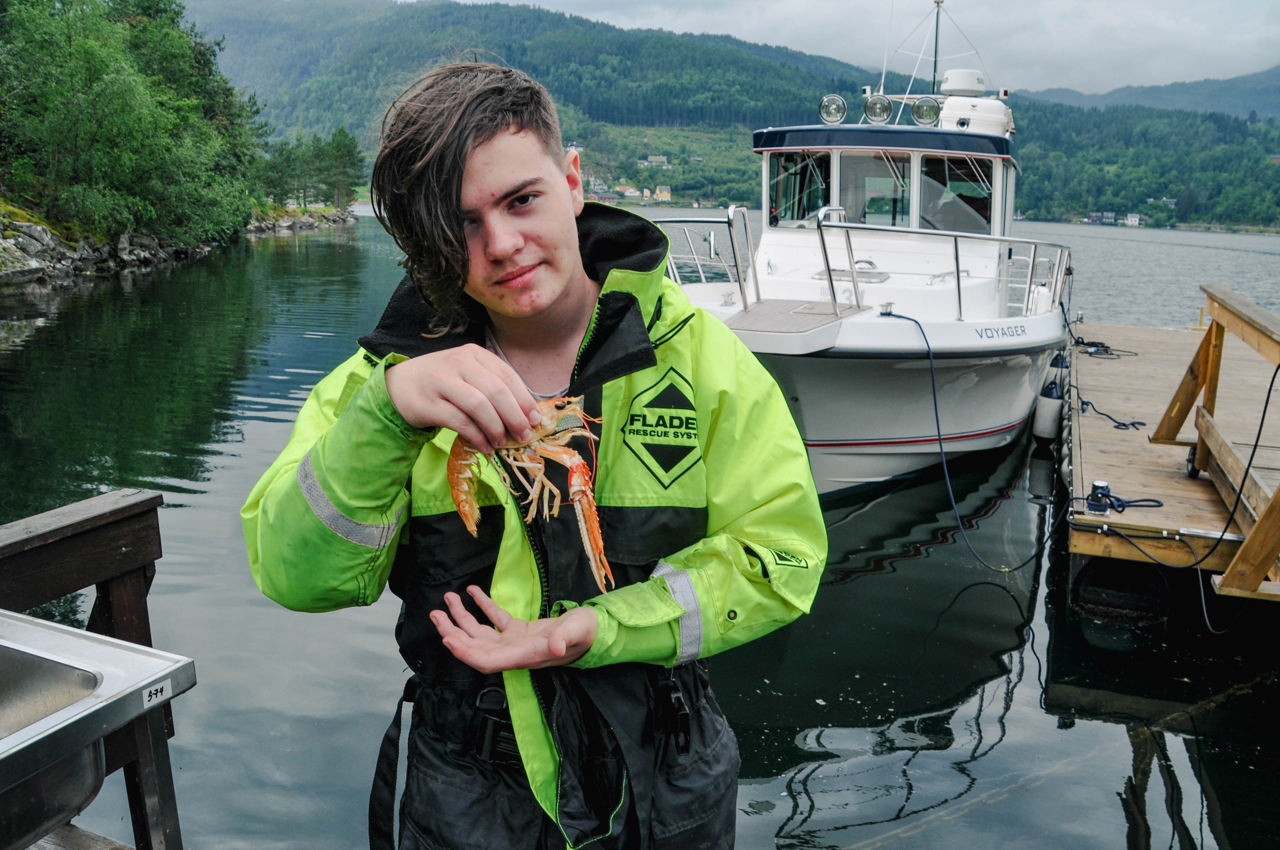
(115, 117)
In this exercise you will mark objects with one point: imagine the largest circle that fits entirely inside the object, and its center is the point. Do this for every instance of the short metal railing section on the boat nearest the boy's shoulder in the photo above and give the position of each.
(687, 264)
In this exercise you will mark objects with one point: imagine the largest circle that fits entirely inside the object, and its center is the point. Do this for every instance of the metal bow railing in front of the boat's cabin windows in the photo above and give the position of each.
(1025, 267)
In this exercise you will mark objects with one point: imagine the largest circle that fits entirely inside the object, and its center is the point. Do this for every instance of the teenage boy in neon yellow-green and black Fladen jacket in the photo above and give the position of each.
(546, 711)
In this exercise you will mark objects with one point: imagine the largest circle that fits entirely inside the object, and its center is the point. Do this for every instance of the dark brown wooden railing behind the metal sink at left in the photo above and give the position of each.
(109, 542)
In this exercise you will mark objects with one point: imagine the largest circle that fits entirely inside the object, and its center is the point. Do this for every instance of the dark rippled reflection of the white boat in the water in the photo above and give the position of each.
(915, 661)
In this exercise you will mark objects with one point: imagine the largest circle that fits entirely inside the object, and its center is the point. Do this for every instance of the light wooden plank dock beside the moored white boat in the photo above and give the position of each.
(1132, 378)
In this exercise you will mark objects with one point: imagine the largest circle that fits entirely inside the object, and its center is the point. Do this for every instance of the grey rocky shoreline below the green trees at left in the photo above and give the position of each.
(34, 257)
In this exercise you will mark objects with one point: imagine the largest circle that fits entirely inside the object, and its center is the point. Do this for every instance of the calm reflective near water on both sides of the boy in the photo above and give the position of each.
(927, 702)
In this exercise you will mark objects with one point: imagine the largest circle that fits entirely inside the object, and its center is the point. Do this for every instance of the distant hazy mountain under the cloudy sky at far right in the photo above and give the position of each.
(1252, 95)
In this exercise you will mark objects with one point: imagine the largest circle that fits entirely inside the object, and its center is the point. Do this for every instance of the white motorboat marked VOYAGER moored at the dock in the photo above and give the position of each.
(885, 293)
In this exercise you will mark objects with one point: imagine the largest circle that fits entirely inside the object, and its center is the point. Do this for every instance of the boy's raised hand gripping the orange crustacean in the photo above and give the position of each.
(468, 390)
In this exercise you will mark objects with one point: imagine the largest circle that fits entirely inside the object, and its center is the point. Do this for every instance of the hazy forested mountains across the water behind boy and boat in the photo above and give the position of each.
(694, 99)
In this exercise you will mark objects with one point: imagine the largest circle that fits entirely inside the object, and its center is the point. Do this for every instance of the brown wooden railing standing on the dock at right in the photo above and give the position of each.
(1252, 572)
